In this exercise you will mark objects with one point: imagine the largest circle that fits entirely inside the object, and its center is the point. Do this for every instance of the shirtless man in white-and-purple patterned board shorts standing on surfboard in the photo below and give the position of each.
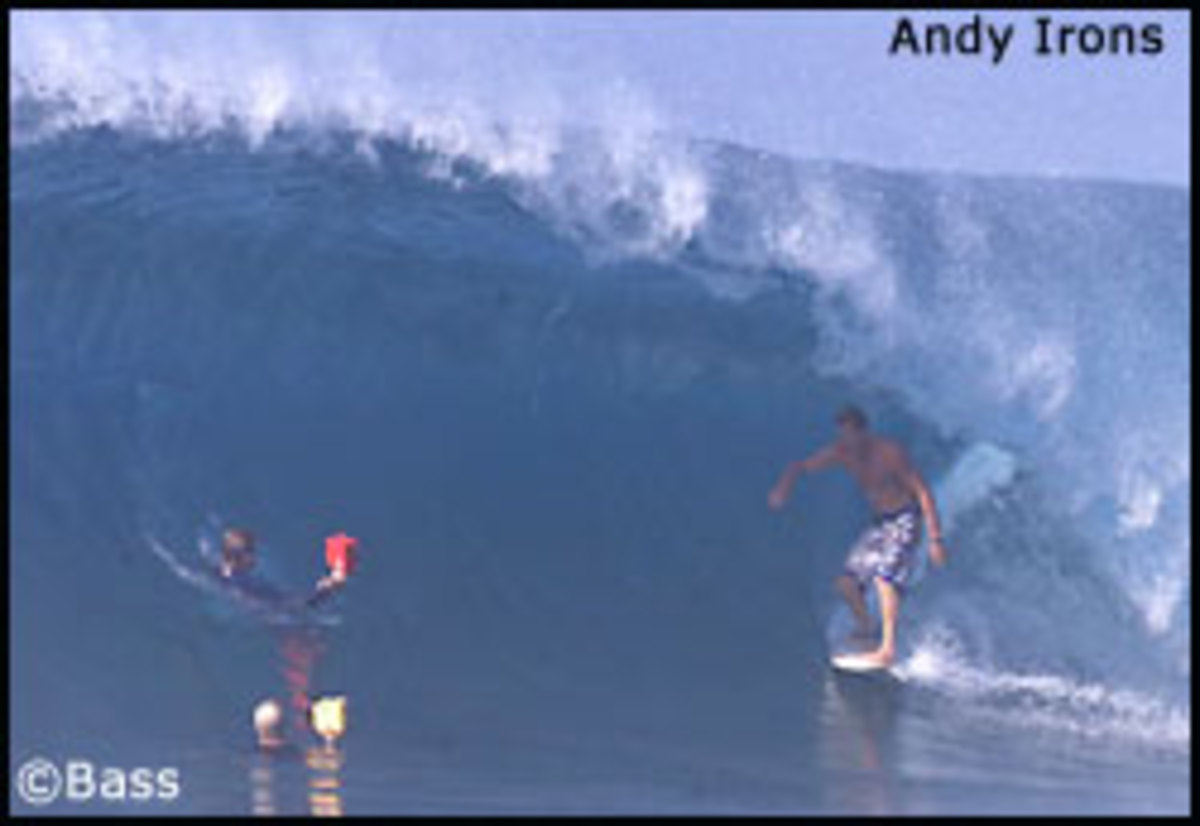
(885, 554)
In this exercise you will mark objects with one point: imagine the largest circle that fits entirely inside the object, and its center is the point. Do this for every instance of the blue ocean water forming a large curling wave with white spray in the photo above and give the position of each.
(548, 382)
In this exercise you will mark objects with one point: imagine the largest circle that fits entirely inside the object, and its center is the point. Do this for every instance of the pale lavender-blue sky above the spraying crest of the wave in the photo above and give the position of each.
(806, 83)
